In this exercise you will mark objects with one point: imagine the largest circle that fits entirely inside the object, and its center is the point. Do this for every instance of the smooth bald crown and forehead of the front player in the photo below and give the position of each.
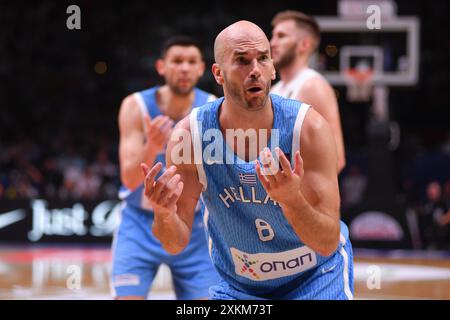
(239, 33)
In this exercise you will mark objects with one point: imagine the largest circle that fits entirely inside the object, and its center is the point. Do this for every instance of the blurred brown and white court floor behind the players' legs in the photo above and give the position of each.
(82, 273)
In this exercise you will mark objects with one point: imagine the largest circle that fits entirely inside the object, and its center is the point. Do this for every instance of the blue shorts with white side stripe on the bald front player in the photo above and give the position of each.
(333, 280)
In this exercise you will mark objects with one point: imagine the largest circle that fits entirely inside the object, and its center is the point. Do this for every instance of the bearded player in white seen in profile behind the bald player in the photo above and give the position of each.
(295, 37)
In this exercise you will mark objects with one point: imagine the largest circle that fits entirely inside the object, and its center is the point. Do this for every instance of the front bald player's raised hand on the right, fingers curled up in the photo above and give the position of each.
(281, 185)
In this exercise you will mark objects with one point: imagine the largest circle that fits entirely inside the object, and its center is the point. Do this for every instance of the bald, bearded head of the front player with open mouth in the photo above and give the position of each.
(243, 65)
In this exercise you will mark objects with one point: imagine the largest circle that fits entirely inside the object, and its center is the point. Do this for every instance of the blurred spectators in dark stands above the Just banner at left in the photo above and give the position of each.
(60, 169)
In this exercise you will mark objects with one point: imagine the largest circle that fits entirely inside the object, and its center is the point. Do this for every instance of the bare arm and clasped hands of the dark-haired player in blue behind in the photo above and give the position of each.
(139, 143)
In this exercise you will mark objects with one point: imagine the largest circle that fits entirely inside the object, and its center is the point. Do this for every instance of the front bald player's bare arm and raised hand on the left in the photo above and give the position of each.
(174, 197)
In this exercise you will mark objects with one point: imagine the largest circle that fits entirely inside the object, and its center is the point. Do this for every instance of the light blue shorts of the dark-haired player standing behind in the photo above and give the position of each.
(137, 255)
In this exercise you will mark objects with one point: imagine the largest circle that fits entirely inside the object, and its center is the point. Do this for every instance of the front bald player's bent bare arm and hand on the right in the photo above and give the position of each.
(313, 211)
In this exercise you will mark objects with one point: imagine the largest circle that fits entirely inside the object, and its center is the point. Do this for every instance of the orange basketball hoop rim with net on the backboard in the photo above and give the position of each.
(359, 84)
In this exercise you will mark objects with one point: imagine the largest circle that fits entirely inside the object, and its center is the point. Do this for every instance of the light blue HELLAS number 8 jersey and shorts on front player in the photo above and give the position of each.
(252, 245)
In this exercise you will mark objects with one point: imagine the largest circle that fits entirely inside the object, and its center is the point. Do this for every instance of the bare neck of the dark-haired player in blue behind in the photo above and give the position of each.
(174, 105)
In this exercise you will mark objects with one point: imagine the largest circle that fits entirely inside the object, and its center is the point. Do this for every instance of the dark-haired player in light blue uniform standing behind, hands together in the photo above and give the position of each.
(146, 119)
